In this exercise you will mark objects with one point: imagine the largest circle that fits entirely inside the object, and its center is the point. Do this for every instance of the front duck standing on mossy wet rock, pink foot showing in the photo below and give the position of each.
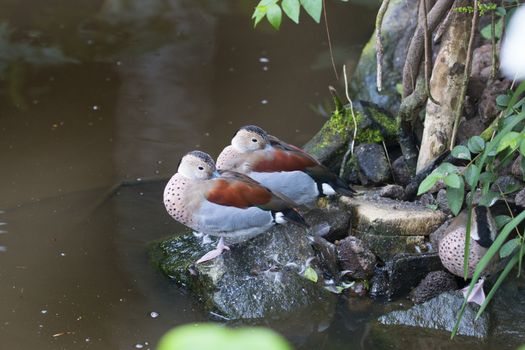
(224, 203)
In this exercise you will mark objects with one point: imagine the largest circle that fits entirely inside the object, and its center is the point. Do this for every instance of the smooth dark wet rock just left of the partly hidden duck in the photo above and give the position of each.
(405, 271)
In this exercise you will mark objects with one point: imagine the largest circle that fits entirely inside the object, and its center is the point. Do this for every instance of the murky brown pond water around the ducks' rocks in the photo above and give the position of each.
(95, 93)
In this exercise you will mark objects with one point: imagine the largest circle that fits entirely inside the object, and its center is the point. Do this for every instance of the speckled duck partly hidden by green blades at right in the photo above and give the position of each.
(451, 250)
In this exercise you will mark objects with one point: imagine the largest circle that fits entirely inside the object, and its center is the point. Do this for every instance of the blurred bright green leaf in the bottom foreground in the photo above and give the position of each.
(209, 336)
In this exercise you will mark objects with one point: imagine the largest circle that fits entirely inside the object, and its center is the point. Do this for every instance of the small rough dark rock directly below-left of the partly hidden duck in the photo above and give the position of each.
(435, 283)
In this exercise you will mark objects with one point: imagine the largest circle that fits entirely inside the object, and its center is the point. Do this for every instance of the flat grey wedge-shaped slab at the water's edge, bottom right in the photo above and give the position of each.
(441, 313)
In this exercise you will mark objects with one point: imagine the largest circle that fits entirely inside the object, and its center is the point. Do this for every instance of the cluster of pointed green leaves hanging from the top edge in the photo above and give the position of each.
(273, 9)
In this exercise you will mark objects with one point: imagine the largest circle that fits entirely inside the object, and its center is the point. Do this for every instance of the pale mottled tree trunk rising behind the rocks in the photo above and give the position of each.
(445, 86)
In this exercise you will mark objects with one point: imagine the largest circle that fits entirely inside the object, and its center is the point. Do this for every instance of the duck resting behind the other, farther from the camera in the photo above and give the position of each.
(281, 167)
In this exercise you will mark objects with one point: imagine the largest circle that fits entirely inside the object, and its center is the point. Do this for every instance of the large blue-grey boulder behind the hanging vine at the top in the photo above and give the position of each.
(398, 25)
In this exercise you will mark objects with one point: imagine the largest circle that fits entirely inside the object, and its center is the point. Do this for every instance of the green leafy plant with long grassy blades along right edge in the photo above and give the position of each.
(486, 158)
